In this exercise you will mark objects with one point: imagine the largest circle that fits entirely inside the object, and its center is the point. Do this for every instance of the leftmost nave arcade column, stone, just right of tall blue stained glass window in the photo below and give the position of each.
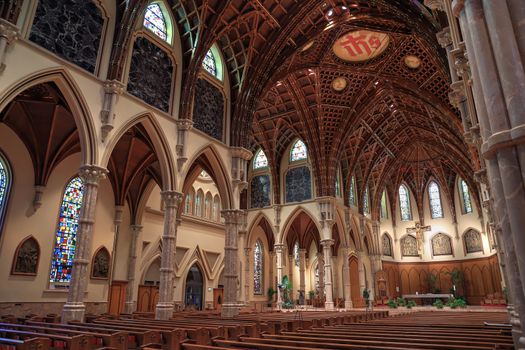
(75, 308)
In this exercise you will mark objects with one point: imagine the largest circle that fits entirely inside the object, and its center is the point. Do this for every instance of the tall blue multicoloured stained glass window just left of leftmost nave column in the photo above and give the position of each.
(65, 239)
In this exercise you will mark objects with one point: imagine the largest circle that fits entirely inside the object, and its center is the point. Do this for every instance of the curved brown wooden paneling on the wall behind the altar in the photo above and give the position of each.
(480, 277)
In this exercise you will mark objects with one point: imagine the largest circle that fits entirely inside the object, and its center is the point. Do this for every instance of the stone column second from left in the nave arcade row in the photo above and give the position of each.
(164, 309)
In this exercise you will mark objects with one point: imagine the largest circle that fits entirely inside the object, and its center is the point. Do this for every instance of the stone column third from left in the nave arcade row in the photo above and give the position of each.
(233, 219)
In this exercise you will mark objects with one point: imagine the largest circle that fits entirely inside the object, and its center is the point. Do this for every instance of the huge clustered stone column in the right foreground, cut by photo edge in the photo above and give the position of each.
(498, 77)
